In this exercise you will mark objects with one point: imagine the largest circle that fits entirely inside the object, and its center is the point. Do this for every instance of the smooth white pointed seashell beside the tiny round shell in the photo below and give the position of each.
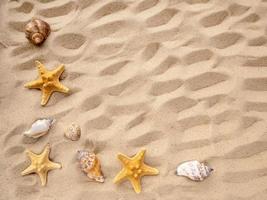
(39, 128)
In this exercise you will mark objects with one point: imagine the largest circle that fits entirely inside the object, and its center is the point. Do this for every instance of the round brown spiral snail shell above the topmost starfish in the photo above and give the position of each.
(37, 31)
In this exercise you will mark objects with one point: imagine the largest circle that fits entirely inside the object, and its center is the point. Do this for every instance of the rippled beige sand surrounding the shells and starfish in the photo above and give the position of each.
(186, 79)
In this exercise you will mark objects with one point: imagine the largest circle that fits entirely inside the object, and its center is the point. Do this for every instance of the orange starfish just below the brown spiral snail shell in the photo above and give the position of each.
(48, 82)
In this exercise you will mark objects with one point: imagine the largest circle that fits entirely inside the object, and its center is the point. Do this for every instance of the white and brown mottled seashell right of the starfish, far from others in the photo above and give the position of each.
(194, 170)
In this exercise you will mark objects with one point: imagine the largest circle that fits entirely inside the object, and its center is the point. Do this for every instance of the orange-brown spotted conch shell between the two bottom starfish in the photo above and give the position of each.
(90, 165)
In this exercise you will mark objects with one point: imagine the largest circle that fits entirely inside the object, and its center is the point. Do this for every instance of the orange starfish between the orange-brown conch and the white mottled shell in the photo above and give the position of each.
(133, 169)
